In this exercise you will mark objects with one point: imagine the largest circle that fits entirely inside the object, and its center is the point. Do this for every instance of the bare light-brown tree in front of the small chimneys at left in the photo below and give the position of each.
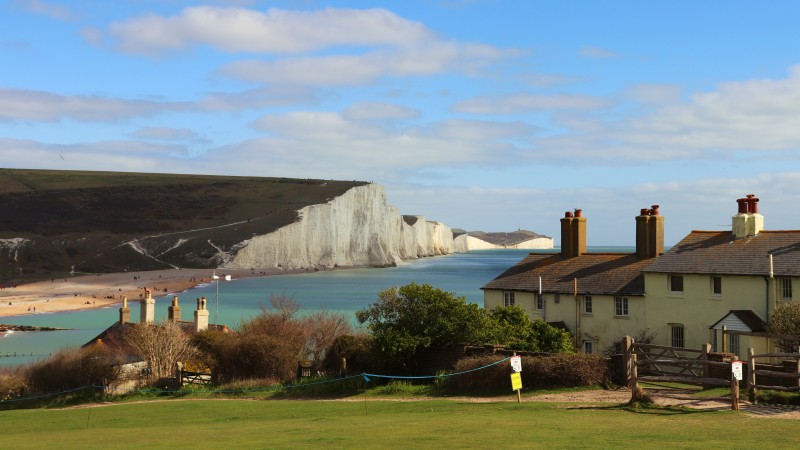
(161, 346)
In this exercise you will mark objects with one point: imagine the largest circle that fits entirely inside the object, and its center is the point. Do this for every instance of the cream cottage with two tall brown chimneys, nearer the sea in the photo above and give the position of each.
(599, 297)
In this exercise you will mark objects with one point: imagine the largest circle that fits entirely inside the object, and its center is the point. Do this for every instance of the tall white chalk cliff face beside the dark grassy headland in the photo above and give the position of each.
(357, 228)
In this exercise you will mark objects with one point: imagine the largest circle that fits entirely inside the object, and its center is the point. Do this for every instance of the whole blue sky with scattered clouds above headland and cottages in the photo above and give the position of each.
(483, 114)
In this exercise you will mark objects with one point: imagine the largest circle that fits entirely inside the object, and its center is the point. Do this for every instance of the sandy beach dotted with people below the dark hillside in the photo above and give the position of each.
(100, 290)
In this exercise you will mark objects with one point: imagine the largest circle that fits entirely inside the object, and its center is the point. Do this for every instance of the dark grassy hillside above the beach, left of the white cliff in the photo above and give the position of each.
(77, 220)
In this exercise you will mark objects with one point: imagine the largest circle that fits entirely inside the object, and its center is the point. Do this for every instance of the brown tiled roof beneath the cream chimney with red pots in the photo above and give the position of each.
(719, 252)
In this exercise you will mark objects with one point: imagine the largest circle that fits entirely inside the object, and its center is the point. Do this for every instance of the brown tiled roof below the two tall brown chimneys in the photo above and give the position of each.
(597, 273)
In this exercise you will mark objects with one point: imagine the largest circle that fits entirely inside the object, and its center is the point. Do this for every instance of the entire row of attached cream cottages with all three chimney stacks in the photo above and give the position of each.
(713, 286)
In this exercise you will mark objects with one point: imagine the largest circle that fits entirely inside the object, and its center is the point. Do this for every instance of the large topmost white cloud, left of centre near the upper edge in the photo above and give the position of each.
(274, 31)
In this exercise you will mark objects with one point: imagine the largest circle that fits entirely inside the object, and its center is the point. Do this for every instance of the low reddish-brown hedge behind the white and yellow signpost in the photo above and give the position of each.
(558, 370)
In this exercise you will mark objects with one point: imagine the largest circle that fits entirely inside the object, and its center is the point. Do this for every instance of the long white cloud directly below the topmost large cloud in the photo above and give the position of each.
(359, 69)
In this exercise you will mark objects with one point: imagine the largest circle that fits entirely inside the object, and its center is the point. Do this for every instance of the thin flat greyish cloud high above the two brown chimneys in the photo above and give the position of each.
(527, 102)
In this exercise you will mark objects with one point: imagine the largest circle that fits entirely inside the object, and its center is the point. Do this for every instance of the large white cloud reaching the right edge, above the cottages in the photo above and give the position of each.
(756, 118)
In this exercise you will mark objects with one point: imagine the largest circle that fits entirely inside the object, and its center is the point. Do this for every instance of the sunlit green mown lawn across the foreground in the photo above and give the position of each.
(386, 424)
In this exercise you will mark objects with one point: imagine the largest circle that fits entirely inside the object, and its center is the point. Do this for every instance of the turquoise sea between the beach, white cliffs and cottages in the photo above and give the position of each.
(230, 302)
